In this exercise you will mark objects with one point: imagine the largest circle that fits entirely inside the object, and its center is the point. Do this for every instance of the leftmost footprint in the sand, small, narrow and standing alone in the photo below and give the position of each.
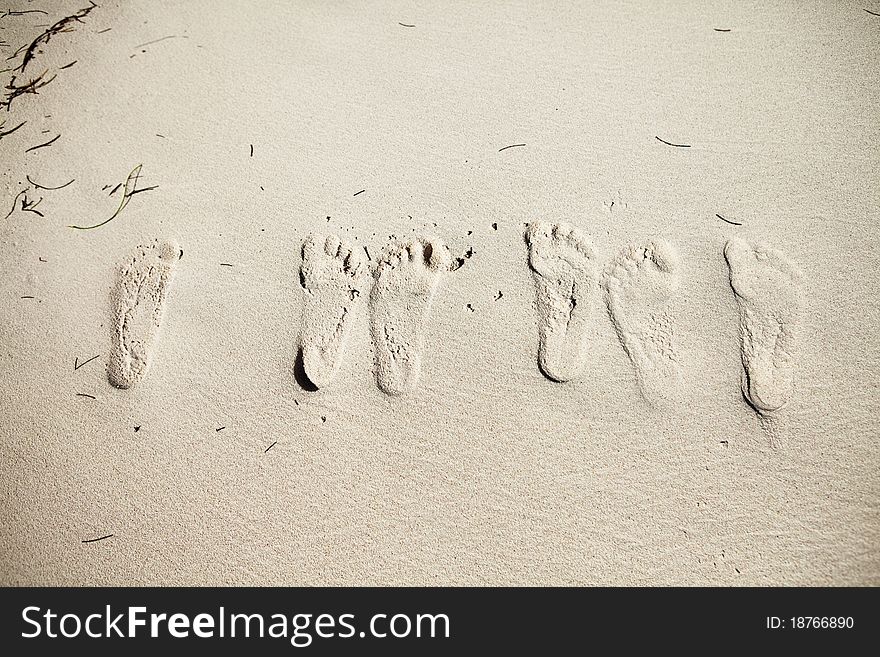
(138, 301)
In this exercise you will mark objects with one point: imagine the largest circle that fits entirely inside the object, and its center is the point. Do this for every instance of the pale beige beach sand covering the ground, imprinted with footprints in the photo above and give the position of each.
(689, 396)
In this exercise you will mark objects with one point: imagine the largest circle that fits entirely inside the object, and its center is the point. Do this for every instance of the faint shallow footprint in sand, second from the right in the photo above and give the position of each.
(639, 284)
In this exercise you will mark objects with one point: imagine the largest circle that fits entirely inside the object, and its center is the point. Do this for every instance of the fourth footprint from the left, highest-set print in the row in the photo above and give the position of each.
(564, 269)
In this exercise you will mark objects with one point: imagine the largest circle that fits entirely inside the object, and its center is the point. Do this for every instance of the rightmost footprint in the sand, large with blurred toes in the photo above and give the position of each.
(768, 291)
